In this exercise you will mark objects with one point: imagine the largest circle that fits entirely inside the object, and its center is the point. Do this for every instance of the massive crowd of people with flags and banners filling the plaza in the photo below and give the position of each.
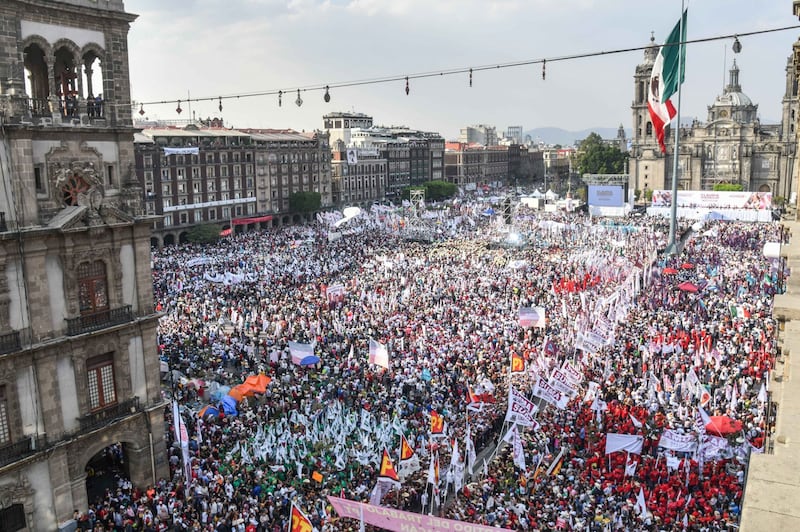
(582, 382)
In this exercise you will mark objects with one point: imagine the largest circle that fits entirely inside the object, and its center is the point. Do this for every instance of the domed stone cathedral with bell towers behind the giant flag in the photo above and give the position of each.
(732, 146)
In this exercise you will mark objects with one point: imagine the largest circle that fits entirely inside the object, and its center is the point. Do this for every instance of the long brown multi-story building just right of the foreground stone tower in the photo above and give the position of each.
(239, 179)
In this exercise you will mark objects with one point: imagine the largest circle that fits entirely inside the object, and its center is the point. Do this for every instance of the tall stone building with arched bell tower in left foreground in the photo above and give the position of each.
(78, 364)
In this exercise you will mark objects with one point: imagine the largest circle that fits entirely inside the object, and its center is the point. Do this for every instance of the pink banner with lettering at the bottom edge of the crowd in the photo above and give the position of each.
(397, 521)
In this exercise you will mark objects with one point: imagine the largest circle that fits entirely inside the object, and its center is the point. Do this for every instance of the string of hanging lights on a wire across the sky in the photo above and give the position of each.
(737, 47)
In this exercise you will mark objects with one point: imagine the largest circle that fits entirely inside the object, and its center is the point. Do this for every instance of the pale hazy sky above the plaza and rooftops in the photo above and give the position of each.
(208, 48)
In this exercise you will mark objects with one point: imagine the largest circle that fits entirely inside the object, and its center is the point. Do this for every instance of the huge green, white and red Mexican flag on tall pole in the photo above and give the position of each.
(665, 79)
